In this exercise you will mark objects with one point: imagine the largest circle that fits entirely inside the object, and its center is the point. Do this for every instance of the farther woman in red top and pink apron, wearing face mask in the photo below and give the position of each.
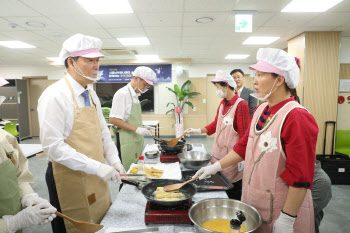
(231, 122)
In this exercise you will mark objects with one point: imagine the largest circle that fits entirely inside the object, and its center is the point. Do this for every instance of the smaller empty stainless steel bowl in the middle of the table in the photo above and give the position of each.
(194, 159)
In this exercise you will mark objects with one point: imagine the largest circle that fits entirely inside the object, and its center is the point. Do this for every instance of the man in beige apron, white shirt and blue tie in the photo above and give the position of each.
(76, 139)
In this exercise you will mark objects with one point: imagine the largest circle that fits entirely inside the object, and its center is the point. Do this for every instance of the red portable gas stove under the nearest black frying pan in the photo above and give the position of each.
(157, 214)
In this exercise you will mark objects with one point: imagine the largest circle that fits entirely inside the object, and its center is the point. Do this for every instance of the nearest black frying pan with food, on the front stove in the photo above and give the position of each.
(148, 191)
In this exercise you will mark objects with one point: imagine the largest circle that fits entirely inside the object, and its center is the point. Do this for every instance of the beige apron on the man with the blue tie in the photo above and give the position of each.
(82, 196)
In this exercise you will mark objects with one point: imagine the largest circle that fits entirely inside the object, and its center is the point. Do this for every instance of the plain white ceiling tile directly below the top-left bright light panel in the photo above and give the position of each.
(118, 20)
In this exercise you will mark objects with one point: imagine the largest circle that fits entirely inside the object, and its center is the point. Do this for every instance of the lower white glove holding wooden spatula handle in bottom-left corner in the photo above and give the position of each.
(30, 216)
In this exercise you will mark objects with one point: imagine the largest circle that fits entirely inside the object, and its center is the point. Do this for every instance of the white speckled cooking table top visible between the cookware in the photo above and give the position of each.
(128, 209)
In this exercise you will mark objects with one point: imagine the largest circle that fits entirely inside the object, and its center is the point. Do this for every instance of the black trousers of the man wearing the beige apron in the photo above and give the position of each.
(57, 224)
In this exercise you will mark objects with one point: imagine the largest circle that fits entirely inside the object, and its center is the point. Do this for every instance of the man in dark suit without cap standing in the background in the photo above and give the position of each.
(243, 91)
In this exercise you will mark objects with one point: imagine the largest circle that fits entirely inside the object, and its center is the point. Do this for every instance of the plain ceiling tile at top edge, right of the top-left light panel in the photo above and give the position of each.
(156, 5)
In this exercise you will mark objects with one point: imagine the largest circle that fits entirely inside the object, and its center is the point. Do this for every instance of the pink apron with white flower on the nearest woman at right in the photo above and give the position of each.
(265, 161)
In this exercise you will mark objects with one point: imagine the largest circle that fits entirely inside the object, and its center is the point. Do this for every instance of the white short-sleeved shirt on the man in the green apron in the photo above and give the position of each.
(122, 103)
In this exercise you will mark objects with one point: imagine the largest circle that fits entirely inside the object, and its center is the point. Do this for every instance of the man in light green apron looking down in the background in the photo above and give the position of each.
(126, 114)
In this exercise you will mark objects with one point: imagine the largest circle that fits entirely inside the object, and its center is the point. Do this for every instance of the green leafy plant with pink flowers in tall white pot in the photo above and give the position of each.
(182, 95)
